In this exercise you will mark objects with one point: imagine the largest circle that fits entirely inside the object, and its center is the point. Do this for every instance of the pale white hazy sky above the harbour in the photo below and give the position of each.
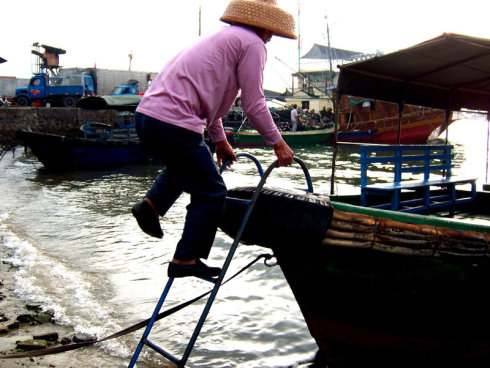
(104, 32)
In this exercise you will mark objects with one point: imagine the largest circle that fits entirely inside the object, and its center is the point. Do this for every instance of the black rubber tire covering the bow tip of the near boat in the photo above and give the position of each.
(280, 218)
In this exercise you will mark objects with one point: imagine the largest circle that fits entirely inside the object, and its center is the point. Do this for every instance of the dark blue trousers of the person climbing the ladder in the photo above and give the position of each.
(188, 167)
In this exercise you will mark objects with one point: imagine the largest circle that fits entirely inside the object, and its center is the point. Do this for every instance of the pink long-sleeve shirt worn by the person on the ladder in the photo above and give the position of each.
(199, 85)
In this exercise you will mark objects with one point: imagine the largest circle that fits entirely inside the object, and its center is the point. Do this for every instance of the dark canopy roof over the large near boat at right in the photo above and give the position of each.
(450, 72)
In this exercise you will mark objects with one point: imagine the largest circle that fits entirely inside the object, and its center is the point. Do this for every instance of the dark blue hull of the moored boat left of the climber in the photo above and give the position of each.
(64, 153)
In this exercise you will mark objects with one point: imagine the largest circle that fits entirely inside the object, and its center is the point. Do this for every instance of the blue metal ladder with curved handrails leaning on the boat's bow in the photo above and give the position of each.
(218, 280)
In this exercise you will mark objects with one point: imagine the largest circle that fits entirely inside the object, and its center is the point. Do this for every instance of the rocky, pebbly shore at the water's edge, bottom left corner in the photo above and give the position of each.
(25, 327)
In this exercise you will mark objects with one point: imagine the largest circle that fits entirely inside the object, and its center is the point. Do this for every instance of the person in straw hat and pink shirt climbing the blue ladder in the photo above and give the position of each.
(190, 94)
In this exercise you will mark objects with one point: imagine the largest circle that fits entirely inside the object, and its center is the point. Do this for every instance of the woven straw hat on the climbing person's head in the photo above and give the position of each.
(260, 13)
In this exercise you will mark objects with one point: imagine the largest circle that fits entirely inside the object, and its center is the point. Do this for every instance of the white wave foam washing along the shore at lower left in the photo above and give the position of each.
(68, 293)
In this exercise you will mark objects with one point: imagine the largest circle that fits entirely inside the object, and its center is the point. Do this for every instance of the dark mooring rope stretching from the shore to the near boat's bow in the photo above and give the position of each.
(142, 324)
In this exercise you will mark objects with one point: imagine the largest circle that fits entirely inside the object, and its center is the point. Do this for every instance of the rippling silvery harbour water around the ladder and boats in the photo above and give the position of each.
(78, 251)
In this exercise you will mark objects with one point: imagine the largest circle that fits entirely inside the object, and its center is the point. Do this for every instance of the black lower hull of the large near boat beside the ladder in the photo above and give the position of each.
(382, 309)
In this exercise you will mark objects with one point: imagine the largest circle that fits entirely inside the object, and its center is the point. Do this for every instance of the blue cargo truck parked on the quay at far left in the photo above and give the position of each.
(44, 90)
